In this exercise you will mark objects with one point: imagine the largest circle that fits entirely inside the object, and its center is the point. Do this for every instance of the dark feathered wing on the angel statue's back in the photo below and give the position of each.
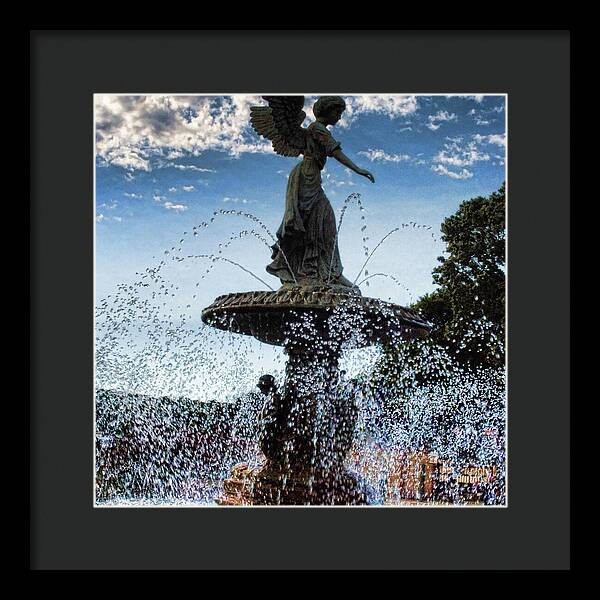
(281, 122)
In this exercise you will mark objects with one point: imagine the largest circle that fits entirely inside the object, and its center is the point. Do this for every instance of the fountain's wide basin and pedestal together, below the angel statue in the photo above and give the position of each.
(308, 428)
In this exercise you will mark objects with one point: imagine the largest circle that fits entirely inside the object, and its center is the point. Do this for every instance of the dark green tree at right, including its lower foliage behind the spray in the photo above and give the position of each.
(466, 311)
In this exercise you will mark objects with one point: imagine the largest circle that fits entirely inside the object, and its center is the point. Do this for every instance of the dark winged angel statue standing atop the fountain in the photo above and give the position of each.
(307, 249)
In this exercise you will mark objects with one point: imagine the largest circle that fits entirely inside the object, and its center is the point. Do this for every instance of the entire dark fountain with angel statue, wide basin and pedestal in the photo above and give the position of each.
(315, 315)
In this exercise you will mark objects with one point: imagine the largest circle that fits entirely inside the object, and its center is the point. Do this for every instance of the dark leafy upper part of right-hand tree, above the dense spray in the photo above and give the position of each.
(467, 310)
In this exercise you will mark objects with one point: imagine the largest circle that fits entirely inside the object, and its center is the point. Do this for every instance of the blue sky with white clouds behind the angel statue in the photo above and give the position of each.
(164, 164)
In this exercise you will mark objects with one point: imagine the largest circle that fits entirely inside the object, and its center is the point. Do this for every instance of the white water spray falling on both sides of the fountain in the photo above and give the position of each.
(177, 407)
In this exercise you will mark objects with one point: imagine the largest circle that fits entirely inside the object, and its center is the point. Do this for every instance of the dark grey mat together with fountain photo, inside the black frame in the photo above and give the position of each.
(297, 302)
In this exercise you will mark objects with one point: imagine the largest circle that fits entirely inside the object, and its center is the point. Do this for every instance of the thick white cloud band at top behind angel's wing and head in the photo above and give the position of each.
(141, 132)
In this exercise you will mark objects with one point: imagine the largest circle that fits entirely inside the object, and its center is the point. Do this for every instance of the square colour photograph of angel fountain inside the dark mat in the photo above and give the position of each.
(300, 300)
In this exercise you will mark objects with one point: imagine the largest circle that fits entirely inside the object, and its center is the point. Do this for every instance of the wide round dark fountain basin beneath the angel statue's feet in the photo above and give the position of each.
(329, 312)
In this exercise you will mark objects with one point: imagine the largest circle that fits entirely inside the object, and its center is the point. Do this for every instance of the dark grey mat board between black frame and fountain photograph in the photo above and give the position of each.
(533, 532)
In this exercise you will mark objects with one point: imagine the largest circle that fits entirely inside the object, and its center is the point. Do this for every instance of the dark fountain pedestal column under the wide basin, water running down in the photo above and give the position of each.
(307, 432)
